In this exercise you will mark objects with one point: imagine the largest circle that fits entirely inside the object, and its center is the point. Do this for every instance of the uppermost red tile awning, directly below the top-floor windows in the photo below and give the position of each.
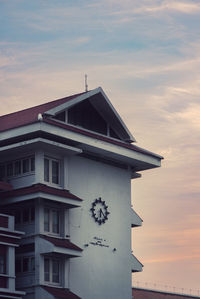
(39, 188)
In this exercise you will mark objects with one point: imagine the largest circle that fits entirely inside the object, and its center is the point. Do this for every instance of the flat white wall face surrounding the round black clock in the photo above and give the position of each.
(101, 272)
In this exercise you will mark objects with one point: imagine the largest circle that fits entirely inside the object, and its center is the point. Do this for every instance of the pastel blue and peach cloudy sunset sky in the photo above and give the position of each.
(145, 54)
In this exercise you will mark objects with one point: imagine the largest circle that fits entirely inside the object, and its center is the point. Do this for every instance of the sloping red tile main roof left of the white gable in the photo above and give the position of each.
(30, 115)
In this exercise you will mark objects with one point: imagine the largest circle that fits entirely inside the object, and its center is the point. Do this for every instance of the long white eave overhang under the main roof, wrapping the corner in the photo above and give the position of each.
(91, 144)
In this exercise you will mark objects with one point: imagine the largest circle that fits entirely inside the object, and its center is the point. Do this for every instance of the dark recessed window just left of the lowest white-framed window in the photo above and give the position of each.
(24, 264)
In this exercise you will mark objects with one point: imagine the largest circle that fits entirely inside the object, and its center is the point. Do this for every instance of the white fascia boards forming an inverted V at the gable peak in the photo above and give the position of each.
(87, 95)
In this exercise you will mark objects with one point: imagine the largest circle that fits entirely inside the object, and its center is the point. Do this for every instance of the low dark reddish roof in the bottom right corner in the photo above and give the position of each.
(140, 293)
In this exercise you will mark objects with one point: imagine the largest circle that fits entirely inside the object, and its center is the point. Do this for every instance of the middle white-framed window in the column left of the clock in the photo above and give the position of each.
(52, 220)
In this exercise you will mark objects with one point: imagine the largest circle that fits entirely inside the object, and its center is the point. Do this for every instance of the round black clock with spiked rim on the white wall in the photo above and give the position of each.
(99, 211)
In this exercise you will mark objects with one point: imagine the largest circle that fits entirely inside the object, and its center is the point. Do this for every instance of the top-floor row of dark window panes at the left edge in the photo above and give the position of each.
(17, 167)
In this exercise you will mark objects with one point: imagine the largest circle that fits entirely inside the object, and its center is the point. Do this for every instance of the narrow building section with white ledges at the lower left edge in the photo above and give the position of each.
(9, 240)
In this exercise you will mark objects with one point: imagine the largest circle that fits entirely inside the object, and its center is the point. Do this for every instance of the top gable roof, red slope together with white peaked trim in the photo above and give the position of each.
(97, 98)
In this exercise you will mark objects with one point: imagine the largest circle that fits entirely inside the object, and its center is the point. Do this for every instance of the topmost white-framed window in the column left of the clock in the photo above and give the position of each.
(51, 170)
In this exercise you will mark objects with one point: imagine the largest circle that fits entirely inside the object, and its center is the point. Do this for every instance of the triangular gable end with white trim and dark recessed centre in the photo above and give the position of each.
(100, 113)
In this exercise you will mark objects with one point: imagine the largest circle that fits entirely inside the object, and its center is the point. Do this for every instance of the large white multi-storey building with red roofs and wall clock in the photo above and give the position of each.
(68, 166)
